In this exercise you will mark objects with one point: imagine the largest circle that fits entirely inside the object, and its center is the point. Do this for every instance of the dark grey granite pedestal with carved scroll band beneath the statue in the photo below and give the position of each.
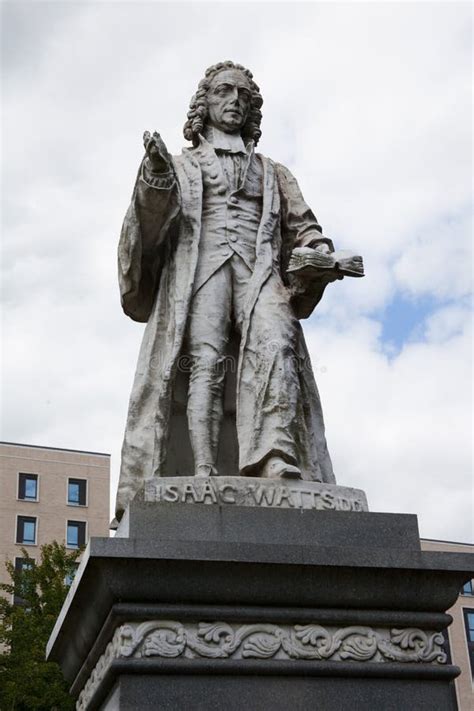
(219, 607)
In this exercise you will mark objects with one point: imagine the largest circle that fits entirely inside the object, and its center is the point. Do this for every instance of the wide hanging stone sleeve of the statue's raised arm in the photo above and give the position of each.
(153, 210)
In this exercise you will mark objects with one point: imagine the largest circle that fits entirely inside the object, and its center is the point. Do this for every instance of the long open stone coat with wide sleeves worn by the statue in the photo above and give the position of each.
(157, 258)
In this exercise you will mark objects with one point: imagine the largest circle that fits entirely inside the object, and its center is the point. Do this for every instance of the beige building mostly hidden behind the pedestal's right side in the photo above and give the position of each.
(461, 632)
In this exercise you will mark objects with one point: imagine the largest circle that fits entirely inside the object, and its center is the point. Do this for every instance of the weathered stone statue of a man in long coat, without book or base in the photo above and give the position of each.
(202, 259)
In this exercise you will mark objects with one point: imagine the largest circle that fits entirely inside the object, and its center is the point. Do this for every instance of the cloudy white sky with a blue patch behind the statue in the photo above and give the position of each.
(368, 104)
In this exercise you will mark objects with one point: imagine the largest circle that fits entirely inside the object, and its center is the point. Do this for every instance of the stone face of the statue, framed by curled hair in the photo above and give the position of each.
(228, 100)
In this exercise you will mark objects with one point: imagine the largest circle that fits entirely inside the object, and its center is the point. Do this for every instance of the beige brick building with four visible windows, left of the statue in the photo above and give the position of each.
(49, 494)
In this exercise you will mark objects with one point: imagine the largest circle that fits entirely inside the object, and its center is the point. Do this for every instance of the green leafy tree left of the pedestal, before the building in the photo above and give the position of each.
(27, 681)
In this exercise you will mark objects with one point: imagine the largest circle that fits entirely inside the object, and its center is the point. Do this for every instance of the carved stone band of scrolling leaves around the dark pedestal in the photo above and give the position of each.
(168, 639)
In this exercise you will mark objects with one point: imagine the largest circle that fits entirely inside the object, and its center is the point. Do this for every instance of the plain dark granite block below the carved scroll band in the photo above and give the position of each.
(256, 692)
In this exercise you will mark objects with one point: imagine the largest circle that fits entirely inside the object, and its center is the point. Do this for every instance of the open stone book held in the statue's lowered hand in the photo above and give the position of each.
(310, 262)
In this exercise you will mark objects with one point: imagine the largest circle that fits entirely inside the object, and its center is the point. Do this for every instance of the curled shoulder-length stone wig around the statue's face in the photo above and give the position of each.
(198, 111)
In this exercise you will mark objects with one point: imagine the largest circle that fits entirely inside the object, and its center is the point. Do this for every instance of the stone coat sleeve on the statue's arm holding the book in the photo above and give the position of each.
(299, 225)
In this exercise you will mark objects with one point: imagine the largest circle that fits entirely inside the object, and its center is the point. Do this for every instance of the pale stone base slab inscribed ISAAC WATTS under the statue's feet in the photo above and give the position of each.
(252, 491)
